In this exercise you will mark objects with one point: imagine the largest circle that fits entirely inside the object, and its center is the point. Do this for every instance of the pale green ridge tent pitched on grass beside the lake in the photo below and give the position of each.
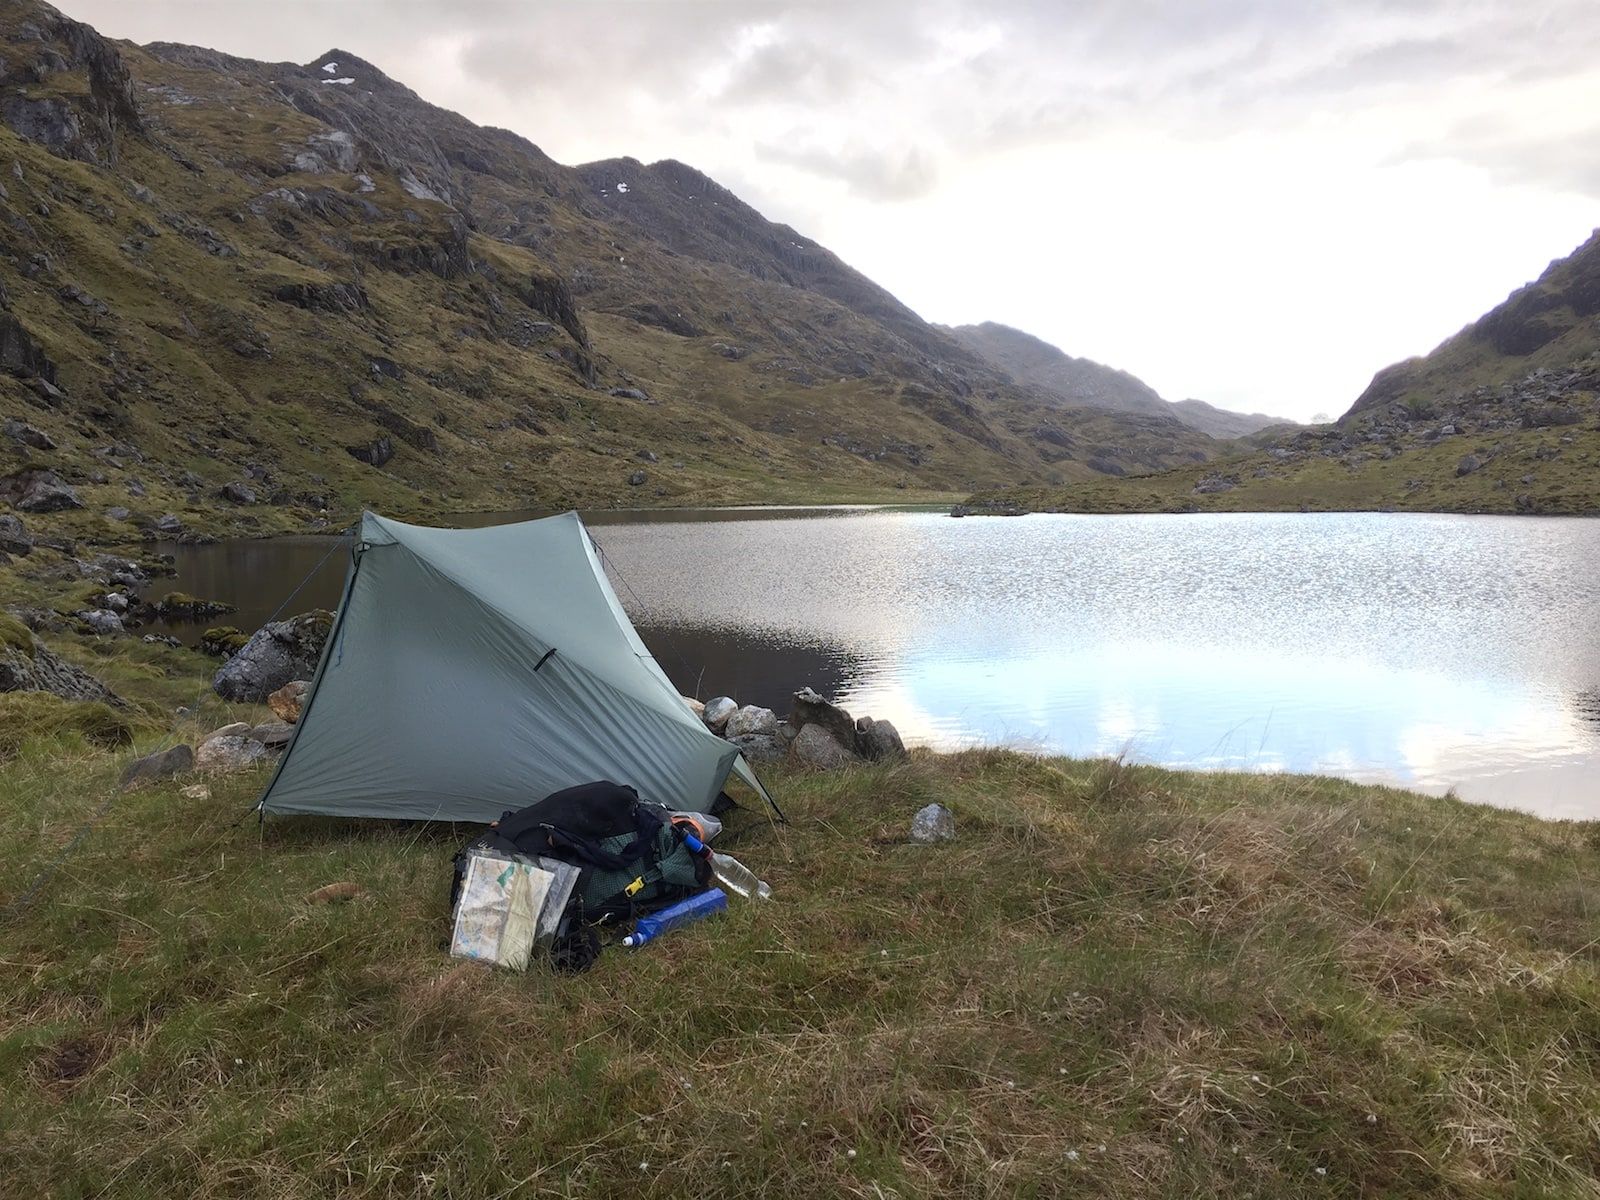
(474, 671)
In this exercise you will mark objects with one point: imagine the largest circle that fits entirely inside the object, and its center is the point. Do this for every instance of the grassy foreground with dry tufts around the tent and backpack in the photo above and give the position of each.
(1118, 982)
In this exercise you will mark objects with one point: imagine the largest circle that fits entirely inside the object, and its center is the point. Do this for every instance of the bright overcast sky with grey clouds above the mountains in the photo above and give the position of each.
(1254, 202)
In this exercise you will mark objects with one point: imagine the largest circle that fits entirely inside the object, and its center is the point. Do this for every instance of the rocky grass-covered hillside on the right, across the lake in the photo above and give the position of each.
(1505, 417)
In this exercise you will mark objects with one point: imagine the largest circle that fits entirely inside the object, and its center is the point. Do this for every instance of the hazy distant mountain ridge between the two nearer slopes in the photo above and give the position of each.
(1082, 382)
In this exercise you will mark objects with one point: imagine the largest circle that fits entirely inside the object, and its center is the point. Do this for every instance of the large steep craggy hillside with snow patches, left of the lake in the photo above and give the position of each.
(257, 297)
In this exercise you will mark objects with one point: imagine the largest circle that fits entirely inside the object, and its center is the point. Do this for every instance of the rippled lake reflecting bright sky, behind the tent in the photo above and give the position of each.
(1431, 652)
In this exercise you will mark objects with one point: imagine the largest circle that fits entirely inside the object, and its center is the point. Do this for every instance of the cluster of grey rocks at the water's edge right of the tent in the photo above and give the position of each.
(818, 735)
